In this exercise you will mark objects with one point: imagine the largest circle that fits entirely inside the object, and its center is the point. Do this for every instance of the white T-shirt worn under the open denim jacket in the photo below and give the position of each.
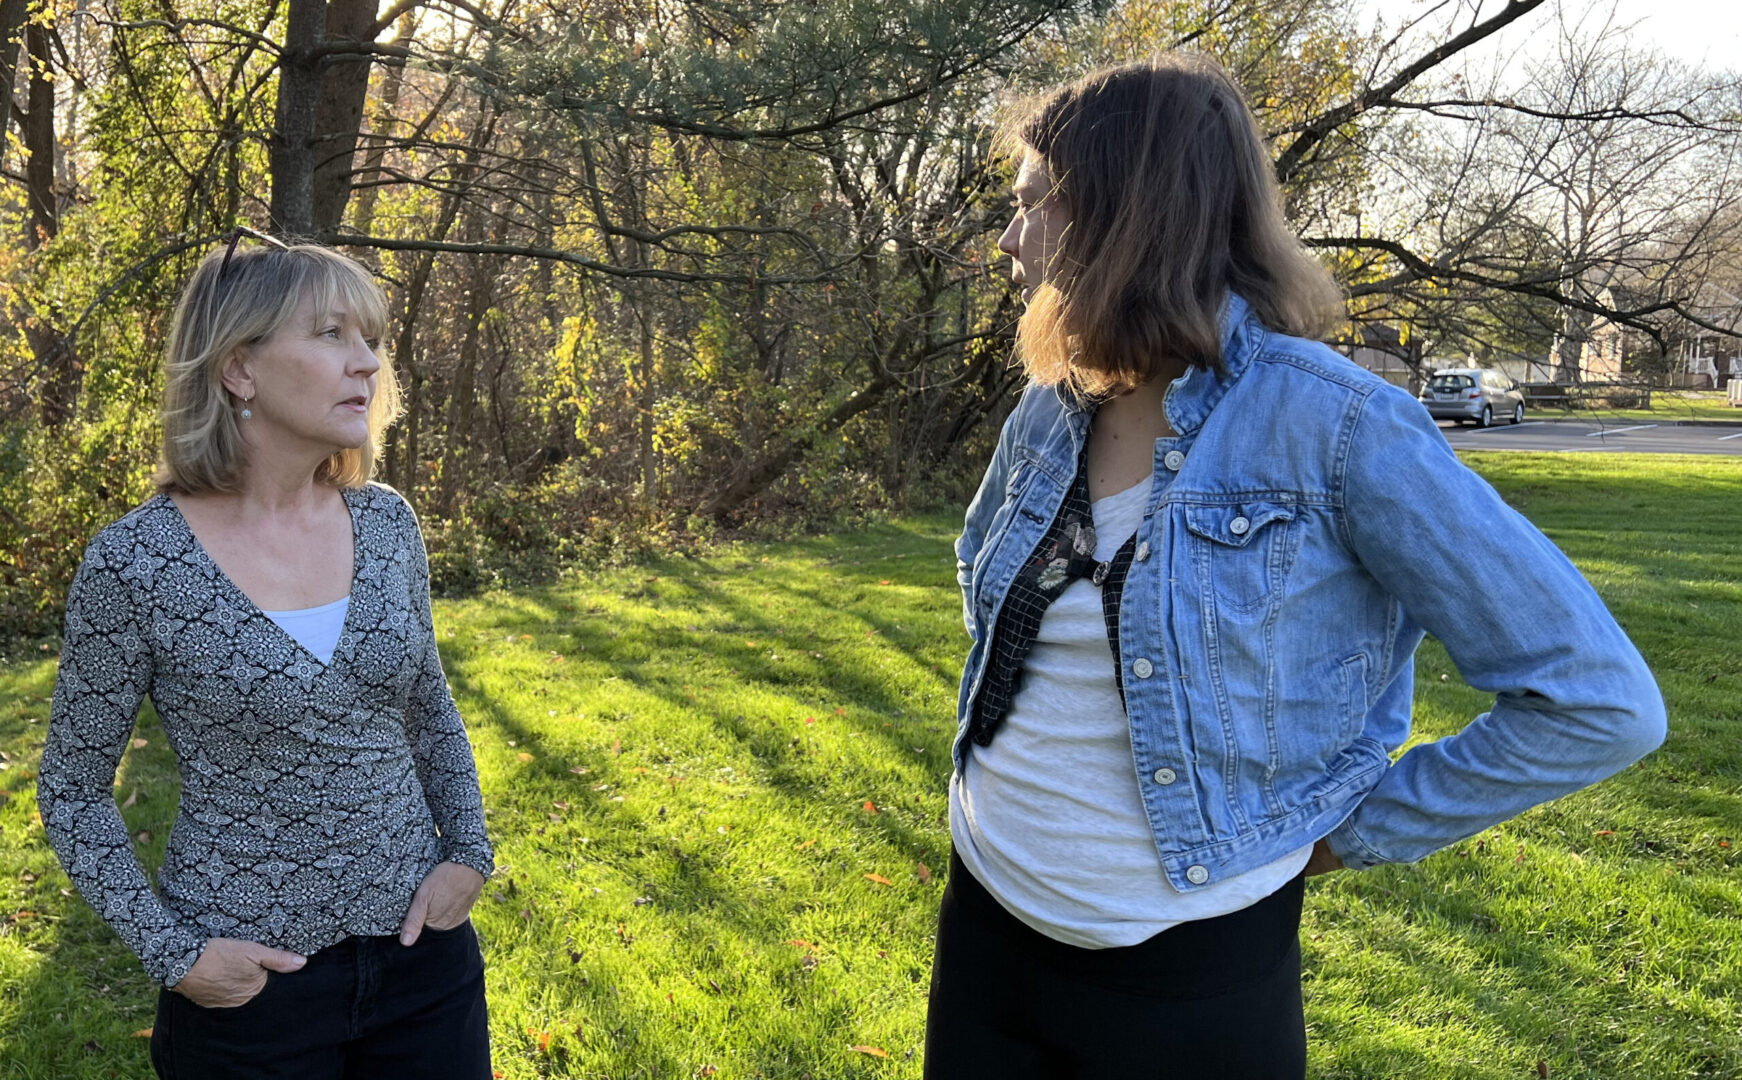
(1050, 818)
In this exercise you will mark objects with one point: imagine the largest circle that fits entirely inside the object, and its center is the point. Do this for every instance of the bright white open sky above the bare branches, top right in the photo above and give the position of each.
(1689, 30)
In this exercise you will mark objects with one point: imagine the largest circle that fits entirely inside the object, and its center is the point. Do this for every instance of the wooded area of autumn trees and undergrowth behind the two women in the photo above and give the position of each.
(663, 269)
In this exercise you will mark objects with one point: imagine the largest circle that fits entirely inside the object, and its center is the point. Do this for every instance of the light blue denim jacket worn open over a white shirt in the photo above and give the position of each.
(1307, 525)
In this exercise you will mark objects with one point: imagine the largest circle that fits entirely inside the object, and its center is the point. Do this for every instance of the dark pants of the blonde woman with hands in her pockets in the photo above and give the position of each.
(363, 1009)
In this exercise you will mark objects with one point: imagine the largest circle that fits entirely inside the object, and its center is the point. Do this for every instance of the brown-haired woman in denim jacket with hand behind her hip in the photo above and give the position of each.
(1196, 577)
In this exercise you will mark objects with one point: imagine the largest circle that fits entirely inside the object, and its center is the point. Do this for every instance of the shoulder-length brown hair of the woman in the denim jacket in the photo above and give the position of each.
(1173, 203)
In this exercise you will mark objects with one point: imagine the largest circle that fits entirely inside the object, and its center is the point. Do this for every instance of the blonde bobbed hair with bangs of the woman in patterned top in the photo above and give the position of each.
(238, 307)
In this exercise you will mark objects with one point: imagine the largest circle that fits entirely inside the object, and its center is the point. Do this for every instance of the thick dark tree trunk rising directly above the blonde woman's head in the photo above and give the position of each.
(292, 151)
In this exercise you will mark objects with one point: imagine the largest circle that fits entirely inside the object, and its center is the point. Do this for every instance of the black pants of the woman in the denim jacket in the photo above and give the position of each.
(1215, 999)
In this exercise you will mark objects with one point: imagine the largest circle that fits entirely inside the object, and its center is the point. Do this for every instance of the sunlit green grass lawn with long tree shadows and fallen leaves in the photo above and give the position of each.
(717, 792)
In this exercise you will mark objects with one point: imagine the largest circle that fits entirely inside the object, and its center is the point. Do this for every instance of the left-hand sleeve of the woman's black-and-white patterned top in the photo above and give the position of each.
(104, 677)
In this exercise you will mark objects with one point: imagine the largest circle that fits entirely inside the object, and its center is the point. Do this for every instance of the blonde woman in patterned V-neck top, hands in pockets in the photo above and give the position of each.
(311, 917)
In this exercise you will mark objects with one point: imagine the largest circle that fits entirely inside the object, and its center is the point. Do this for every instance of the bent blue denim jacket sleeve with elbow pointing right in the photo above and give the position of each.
(1574, 699)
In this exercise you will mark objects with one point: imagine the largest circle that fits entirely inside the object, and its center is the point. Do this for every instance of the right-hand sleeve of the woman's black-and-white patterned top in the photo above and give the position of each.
(440, 748)
